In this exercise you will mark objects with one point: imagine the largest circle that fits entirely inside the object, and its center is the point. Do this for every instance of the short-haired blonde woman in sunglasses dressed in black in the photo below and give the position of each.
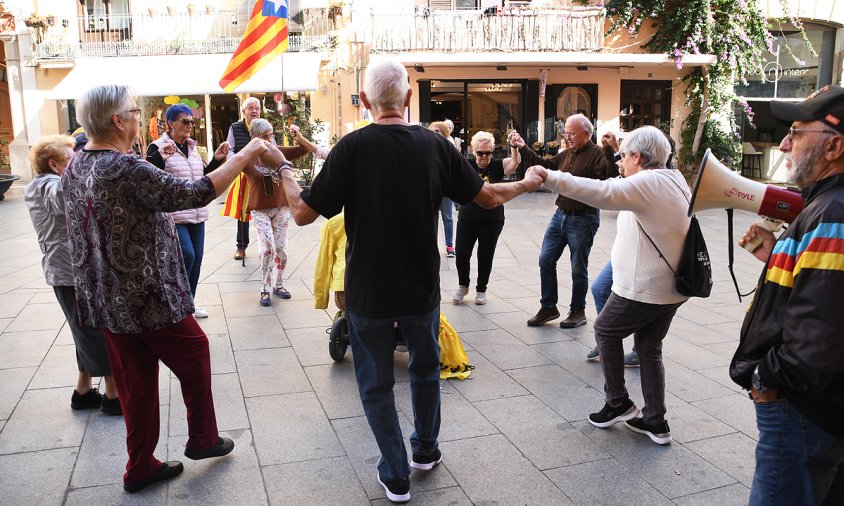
(478, 225)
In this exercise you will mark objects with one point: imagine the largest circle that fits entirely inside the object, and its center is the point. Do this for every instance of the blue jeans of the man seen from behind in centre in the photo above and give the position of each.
(373, 341)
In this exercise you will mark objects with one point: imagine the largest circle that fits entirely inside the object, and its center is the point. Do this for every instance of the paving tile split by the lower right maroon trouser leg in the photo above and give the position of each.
(228, 405)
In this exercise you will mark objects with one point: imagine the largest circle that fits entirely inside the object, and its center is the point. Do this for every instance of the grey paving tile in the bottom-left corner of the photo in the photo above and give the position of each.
(37, 477)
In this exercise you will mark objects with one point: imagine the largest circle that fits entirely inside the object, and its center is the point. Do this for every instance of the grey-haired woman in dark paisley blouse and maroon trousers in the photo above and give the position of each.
(130, 277)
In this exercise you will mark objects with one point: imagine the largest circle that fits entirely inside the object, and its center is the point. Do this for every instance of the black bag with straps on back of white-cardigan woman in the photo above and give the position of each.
(694, 274)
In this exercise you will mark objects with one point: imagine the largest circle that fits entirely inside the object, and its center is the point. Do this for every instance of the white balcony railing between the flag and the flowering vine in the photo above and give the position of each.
(507, 30)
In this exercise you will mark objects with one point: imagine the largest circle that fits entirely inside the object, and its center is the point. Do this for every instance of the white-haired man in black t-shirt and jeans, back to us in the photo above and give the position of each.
(390, 178)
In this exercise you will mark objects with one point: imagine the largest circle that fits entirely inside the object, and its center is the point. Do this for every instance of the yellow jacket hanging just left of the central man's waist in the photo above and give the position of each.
(331, 261)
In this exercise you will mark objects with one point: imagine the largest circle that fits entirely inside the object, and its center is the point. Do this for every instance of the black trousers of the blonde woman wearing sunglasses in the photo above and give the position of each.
(485, 233)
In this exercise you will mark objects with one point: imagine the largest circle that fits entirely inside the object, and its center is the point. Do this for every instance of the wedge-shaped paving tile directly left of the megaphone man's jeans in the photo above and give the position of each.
(735, 454)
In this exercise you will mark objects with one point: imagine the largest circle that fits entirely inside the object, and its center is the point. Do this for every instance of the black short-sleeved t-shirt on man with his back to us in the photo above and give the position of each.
(391, 179)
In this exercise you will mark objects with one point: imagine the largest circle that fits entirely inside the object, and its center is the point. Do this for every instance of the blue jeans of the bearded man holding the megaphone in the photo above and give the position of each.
(797, 463)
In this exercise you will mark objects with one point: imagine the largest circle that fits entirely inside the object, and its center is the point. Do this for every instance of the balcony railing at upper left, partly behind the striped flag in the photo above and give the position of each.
(160, 34)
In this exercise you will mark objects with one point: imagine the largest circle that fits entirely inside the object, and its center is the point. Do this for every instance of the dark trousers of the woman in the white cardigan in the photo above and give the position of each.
(649, 324)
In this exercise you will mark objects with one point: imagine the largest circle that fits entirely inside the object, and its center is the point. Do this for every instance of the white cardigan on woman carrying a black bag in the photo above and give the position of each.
(652, 197)
